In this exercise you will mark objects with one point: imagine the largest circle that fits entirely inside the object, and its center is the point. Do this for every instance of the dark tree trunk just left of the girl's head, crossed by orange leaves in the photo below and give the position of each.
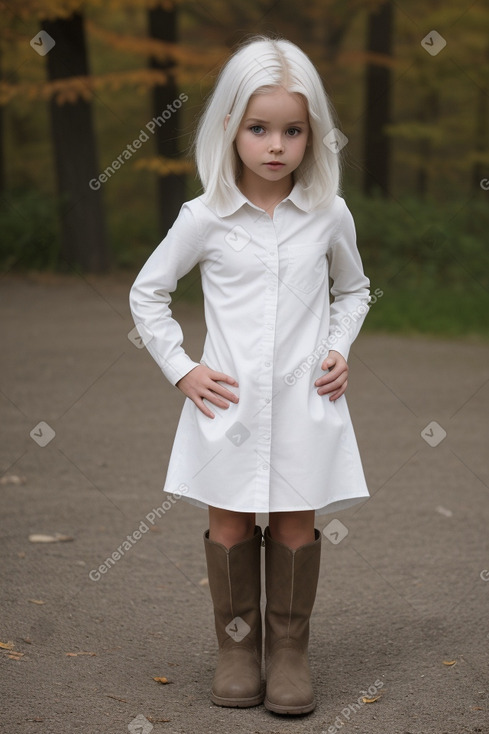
(171, 188)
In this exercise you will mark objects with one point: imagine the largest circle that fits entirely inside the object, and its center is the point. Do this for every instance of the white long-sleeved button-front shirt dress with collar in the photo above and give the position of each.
(266, 285)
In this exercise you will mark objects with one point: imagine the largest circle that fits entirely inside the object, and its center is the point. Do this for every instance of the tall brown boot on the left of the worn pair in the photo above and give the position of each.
(234, 582)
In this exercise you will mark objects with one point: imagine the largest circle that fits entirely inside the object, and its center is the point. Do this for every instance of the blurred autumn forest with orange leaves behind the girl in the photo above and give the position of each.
(409, 81)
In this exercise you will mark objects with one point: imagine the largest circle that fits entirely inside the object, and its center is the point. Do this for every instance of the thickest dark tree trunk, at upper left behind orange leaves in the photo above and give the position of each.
(83, 234)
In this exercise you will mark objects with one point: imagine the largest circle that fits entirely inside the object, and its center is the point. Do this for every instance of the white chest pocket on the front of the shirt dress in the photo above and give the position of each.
(306, 266)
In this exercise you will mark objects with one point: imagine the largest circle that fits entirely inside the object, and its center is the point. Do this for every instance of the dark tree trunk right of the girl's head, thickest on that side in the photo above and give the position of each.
(378, 102)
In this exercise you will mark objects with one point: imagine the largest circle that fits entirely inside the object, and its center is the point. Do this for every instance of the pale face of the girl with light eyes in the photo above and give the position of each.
(273, 135)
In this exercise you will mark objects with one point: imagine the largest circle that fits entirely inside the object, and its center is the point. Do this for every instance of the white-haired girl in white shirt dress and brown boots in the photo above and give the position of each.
(265, 427)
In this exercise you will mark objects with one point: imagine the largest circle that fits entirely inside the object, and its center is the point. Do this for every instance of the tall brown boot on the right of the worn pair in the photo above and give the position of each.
(291, 582)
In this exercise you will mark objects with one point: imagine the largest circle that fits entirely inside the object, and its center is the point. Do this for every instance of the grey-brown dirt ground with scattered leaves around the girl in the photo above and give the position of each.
(88, 423)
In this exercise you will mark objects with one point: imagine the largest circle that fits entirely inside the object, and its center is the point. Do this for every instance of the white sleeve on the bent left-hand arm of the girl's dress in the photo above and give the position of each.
(150, 296)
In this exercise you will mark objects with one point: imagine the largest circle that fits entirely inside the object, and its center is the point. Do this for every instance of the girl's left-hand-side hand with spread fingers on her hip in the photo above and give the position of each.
(202, 382)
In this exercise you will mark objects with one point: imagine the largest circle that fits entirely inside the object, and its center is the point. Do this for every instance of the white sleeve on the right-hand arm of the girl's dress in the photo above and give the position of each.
(350, 288)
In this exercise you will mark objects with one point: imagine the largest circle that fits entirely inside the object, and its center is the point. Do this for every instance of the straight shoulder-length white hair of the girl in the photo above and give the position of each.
(259, 66)
